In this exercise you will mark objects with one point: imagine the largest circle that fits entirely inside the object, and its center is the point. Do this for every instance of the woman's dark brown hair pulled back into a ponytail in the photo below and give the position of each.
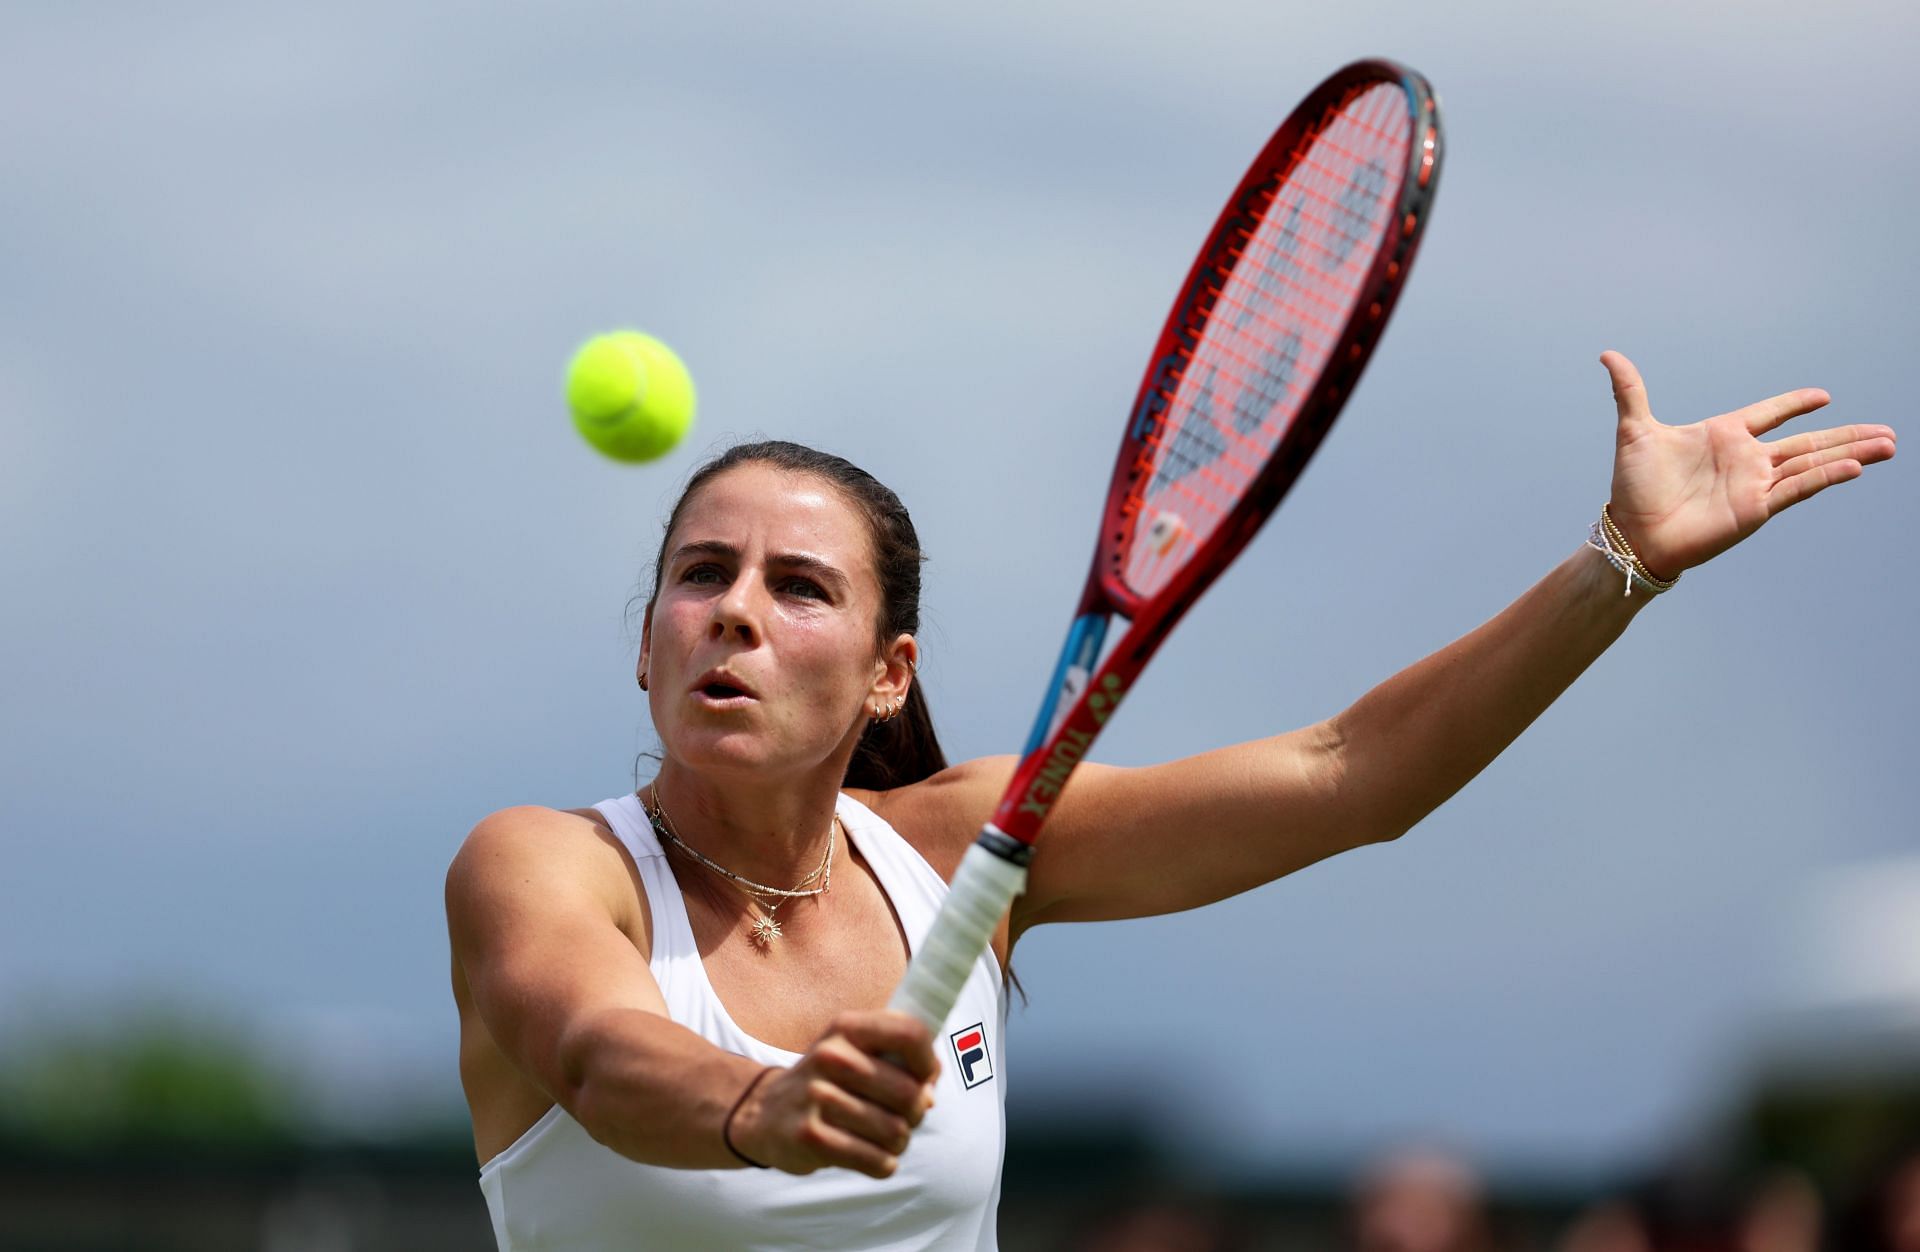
(901, 750)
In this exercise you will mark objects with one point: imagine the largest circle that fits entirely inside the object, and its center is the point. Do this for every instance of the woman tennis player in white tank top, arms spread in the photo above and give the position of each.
(671, 1001)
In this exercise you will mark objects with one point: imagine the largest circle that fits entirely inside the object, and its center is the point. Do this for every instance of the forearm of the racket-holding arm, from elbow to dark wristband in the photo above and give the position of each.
(652, 1090)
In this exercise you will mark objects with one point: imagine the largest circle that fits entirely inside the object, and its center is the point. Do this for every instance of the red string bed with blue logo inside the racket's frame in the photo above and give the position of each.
(1264, 320)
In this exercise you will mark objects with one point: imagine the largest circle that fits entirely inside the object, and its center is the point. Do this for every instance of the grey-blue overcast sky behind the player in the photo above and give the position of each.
(306, 569)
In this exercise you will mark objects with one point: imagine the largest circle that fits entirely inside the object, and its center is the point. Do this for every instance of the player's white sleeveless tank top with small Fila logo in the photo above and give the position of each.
(556, 1188)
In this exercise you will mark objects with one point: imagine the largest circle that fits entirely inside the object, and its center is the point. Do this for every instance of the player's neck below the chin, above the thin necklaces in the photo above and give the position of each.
(773, 834)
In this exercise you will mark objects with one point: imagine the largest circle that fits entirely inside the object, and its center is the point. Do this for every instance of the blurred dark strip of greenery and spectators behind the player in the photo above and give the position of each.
(170, 1136)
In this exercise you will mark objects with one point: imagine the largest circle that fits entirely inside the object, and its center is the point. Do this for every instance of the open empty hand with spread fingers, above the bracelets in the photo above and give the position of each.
(1687, 494)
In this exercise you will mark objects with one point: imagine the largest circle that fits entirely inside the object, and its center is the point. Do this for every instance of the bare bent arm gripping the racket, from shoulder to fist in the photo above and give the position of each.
(535, 911)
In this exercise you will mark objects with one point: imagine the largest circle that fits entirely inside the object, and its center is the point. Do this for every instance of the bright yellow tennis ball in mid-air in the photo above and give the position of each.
(631, 395)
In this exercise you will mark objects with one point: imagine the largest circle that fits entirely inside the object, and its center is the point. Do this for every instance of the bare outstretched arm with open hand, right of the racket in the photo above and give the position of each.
(1126, 844)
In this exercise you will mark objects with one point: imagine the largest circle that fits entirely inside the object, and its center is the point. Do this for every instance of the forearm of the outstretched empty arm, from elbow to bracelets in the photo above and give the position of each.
(1426, 733)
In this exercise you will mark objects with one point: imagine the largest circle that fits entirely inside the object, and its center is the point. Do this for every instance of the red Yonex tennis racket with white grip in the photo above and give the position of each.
(1266, 343)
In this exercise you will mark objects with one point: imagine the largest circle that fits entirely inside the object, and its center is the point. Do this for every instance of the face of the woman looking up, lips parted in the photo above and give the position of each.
(761, 644)
